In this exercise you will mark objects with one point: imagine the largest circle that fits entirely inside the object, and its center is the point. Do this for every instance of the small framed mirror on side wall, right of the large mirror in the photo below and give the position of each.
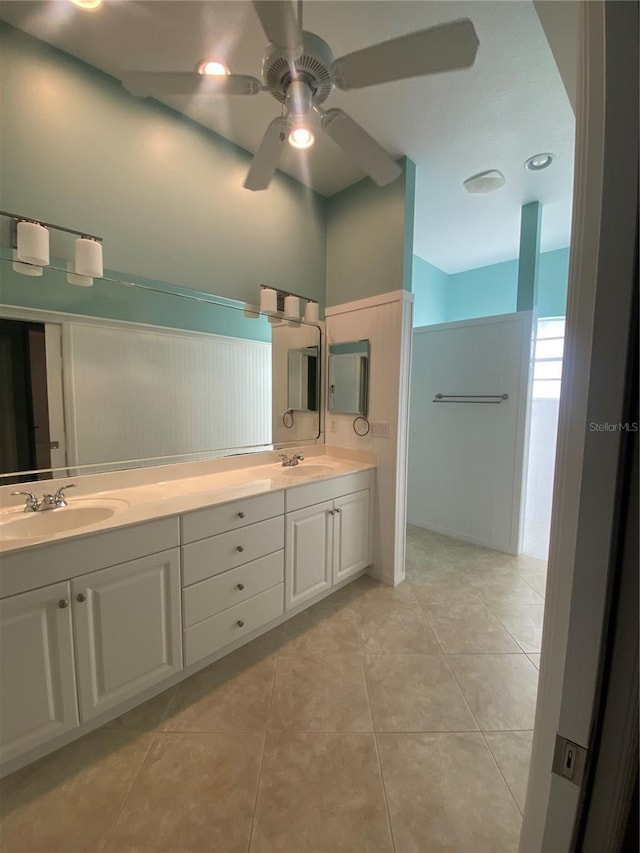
(349, 378)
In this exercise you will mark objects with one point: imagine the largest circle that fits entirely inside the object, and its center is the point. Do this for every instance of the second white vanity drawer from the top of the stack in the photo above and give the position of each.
(209, 557)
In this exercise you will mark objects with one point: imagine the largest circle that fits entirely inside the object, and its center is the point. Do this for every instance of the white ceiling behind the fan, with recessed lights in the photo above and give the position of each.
(510, 105)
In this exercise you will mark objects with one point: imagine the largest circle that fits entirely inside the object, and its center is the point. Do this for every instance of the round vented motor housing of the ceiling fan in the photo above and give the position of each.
(313, 67)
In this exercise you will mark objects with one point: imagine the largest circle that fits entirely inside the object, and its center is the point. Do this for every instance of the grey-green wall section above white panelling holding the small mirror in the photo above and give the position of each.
(370, 238)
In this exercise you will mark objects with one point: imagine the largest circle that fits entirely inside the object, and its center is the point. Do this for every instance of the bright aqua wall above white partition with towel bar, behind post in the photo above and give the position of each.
(486, 291)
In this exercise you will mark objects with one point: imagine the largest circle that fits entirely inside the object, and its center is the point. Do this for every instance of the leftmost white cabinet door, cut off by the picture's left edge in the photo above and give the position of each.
(38, 691)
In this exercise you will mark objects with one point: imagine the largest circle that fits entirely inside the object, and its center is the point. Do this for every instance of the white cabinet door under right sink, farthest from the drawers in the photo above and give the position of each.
(351, 535)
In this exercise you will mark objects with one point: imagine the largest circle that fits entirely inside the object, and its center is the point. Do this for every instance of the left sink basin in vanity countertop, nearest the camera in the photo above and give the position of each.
(36, 525)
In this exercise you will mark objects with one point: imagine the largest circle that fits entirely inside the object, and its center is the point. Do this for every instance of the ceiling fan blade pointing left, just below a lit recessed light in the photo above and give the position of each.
(145, 83)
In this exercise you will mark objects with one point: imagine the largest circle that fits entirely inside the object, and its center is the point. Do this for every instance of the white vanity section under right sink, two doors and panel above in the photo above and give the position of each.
(327, 542)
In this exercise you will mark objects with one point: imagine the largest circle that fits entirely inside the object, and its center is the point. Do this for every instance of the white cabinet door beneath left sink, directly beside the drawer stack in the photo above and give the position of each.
(127, 630)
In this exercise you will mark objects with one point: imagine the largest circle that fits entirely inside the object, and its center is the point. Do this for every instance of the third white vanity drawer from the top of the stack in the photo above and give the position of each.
(209, 597)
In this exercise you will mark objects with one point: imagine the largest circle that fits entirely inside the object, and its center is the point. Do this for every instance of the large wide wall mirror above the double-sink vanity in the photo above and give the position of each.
(86, 385)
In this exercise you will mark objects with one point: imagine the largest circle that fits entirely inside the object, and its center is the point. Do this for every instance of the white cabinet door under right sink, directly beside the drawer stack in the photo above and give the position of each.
(308, 553)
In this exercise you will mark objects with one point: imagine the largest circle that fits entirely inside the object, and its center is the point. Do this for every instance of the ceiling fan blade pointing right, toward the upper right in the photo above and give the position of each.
(442, 48)
